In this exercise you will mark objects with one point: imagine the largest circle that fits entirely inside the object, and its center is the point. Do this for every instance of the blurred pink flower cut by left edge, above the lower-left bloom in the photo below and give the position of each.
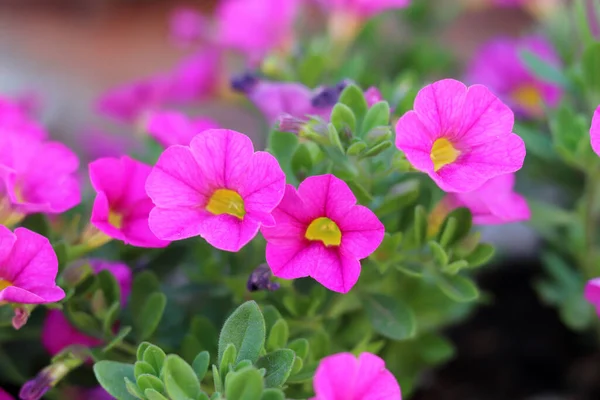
(35, 176)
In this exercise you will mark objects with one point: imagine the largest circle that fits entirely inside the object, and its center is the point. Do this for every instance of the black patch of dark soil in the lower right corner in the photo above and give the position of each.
(516, 348)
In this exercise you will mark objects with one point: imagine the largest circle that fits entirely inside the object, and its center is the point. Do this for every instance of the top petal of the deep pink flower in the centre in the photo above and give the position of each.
(326, 196)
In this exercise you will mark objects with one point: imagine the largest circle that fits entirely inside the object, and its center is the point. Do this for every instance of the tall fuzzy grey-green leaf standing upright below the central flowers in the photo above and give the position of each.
(245, 329)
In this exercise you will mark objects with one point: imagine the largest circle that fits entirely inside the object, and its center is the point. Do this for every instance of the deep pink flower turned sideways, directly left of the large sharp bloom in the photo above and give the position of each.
(121, 206)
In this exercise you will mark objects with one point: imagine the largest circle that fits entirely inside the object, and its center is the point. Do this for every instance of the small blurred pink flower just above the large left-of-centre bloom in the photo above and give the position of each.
(170, 128)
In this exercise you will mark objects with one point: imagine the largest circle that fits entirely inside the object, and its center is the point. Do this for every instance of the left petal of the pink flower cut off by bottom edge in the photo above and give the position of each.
(336, 376)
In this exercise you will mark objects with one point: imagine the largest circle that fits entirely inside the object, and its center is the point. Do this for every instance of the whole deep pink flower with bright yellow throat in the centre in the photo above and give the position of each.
(320, 232)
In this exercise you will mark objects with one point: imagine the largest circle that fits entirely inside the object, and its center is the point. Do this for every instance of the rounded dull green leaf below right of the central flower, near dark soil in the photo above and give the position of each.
(390, 317)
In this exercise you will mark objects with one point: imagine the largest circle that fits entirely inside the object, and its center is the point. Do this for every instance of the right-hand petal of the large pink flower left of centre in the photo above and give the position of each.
(264, 184)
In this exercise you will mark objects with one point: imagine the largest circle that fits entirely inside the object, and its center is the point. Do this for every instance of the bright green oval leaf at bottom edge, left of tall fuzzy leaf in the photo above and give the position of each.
(179, 378)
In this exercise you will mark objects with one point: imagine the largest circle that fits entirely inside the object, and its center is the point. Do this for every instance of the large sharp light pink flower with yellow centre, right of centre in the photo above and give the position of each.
(460, 136)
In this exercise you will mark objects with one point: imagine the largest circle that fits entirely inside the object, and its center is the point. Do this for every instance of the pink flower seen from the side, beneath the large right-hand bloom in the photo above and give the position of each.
(494, 202)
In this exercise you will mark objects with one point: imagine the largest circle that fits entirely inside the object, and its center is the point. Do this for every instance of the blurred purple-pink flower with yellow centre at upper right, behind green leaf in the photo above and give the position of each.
(498, 66)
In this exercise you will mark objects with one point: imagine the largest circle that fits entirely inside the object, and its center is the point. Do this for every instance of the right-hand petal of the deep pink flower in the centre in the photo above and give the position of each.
(362, 232)
